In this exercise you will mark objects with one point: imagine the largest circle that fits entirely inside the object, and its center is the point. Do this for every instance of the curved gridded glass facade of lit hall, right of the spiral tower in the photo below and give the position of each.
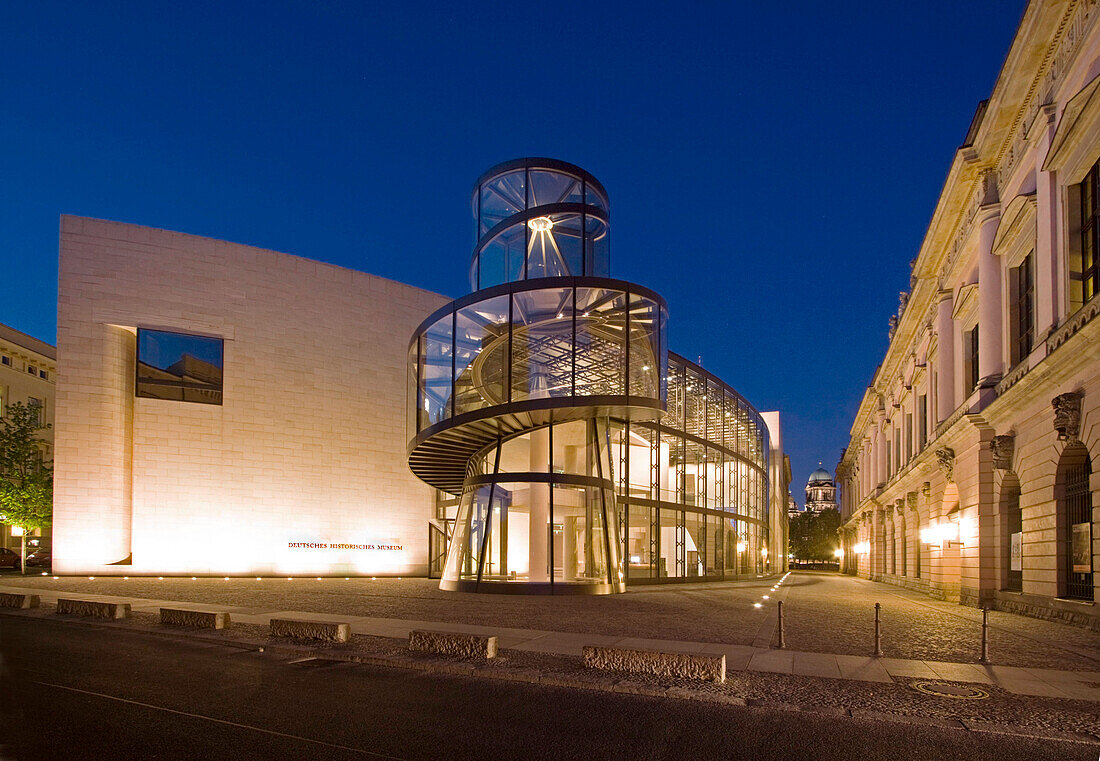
(695, 491)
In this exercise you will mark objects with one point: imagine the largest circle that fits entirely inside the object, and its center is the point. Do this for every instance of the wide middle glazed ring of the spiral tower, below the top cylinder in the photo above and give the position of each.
(549, 339)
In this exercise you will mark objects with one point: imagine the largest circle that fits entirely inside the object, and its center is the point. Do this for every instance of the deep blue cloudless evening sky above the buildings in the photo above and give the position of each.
(772, 167)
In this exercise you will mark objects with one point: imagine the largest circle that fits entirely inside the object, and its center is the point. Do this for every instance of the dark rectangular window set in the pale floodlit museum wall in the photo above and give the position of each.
(179, 367)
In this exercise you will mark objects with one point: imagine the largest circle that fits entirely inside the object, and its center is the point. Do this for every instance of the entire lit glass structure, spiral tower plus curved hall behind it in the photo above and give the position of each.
(585, 454)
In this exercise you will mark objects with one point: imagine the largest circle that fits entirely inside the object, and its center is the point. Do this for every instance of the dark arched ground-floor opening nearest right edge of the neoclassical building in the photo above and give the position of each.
(1074, 521)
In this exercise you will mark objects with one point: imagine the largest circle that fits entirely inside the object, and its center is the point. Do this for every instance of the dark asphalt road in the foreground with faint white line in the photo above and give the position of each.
(73, 691)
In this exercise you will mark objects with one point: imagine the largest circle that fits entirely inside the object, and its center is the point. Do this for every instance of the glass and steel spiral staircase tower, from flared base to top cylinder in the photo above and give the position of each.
(513, 388)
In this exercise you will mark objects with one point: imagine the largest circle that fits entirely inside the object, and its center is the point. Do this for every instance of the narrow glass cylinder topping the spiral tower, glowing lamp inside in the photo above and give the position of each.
(540, 218)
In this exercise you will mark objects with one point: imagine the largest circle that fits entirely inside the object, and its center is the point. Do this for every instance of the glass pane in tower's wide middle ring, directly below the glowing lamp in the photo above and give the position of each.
(542, 345)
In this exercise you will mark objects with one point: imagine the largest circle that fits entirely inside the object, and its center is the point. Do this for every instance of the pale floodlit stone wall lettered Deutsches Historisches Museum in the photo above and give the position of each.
(272, 444)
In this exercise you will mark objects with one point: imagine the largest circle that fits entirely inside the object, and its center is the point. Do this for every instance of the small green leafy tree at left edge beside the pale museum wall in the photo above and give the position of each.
(27, 483)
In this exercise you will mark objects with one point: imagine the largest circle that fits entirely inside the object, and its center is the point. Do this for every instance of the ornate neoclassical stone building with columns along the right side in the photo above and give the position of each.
(970, 473)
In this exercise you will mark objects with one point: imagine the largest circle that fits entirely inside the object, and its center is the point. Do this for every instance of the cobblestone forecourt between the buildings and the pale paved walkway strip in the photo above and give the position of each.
(823, 612)
